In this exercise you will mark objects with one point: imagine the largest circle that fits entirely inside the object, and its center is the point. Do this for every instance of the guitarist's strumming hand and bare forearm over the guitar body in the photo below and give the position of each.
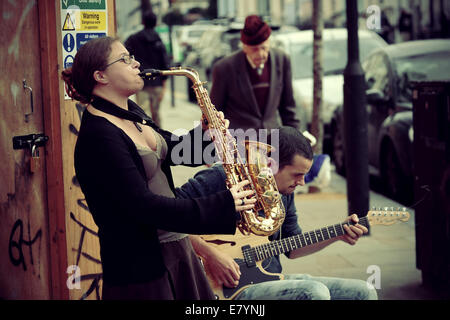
(220, 267)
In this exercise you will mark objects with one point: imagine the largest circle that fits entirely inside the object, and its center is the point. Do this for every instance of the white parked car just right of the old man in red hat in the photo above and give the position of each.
(299, 46)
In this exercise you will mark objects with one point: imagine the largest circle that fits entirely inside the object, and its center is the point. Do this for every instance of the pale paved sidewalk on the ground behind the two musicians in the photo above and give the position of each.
(388, 250)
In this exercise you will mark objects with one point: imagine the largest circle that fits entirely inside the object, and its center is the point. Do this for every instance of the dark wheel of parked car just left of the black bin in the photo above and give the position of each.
(394, 180)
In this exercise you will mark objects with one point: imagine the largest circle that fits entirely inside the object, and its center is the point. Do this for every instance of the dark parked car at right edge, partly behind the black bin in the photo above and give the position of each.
(390, 73)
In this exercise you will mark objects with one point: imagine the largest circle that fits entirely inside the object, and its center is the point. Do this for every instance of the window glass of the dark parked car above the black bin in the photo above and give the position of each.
(432, 66)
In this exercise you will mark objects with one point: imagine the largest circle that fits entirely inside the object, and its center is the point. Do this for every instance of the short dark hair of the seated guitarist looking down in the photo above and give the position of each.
(291, 142)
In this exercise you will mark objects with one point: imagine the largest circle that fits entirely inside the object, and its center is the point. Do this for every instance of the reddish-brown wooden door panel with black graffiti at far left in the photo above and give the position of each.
(24, 241)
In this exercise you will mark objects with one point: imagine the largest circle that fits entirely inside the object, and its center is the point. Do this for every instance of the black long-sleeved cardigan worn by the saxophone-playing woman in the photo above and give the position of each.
(112, 177)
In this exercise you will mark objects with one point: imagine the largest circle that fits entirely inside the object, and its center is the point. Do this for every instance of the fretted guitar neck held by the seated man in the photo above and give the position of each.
(278, 247)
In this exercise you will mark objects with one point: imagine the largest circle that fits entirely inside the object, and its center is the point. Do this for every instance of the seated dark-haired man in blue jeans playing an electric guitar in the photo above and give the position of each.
(295, 160)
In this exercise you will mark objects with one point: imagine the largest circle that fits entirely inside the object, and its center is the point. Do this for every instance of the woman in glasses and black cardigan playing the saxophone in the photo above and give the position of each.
(122, 163)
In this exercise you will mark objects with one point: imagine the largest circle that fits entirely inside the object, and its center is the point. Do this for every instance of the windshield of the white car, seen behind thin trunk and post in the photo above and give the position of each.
(334, 56)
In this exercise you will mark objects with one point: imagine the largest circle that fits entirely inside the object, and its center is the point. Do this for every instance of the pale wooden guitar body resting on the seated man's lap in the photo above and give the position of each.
(232, 245)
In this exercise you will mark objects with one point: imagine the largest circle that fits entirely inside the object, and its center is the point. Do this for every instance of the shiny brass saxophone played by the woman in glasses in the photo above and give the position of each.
(268, 214)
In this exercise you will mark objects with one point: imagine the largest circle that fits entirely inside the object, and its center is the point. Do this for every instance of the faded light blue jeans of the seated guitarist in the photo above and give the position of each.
(306, 287)
